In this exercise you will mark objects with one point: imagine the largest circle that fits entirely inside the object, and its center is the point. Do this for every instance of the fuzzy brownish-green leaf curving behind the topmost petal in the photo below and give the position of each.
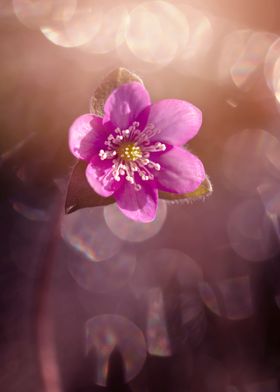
(115, 79)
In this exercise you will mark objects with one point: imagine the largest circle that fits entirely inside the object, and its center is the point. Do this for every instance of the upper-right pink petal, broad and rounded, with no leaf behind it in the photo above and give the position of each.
(178, 121)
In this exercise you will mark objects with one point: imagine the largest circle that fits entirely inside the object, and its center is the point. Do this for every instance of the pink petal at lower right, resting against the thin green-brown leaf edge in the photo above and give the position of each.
(180, 171)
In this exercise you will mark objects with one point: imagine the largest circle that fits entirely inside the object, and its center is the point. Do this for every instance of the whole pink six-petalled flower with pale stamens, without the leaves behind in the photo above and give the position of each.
(137, 149)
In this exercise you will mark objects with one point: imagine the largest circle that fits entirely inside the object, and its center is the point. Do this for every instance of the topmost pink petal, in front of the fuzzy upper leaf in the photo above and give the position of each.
(125, 104)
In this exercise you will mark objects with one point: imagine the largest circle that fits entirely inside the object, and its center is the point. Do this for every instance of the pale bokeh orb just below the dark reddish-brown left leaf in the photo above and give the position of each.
(86, 231)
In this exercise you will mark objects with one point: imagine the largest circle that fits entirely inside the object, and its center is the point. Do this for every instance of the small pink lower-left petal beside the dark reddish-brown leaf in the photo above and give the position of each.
(99, 176)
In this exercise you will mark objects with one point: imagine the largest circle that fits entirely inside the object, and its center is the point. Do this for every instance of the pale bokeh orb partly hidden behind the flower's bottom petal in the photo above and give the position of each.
(129, 230)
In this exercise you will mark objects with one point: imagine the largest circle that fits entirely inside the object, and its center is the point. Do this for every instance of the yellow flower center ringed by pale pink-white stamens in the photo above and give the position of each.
(130, 150)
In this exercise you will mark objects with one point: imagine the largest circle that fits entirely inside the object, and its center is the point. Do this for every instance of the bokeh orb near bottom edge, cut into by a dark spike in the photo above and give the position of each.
(107, 333)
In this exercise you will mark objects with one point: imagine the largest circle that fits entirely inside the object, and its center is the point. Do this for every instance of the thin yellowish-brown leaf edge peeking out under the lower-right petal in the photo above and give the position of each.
(205, 189)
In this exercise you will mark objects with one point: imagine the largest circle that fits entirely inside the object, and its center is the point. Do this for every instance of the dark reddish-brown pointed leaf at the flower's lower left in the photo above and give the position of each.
(80, 194)
